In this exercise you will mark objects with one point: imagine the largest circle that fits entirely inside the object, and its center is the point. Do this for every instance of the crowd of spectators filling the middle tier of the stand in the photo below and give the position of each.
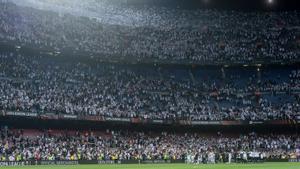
(44, 85)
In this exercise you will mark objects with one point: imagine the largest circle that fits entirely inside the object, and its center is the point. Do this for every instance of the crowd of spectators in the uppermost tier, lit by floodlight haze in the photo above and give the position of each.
(152, 34)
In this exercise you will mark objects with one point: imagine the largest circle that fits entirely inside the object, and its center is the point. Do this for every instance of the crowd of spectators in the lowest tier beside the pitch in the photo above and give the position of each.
(16, 145)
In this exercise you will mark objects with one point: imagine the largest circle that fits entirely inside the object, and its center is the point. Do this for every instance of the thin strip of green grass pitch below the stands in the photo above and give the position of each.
(170, 166)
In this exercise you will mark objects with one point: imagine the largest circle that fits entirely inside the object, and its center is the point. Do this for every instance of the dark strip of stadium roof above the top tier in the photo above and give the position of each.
(258, 5)
